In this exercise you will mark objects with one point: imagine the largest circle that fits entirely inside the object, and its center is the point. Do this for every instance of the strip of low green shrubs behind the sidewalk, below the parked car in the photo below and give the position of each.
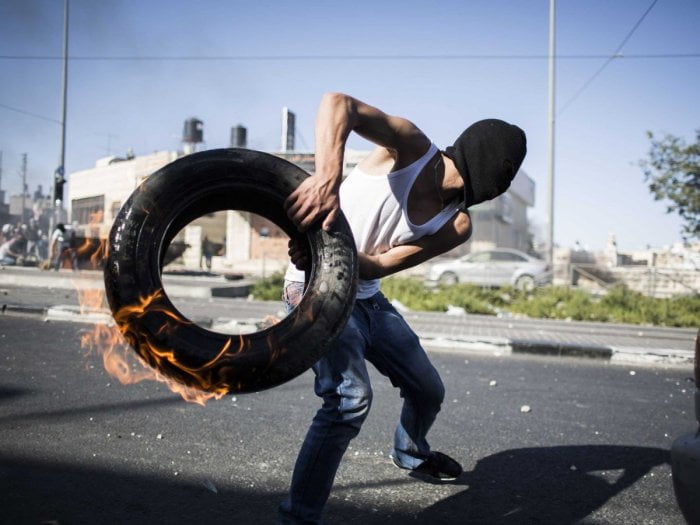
(619, 305)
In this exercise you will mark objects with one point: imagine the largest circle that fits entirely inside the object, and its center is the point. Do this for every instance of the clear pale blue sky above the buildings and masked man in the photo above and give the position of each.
(140, 68)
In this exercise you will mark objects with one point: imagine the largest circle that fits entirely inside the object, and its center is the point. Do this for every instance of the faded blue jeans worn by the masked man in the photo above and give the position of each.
(376, 332)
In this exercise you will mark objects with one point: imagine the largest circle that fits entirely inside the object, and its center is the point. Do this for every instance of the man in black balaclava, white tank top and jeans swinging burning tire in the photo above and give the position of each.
(405, 203)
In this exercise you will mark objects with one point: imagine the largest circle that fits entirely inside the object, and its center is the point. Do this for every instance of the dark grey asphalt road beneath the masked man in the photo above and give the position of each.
(77, 447)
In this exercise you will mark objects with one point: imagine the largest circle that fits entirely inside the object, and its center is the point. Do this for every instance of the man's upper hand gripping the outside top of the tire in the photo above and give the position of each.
(315, 199)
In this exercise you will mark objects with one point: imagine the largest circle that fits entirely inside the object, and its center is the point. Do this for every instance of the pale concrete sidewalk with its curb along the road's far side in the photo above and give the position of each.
(438, 331)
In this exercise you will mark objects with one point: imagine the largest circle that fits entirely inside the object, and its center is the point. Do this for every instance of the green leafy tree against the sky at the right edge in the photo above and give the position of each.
(672, 171)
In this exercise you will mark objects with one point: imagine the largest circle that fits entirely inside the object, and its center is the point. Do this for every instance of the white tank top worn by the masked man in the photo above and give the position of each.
(376, 208)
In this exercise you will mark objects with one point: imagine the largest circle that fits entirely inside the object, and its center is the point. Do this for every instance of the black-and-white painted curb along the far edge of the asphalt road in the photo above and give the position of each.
(495, 346)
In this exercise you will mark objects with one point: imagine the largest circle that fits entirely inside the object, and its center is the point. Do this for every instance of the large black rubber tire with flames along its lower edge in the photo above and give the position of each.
(170, 199)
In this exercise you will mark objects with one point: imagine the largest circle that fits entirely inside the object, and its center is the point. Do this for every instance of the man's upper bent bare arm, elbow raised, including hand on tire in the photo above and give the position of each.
(316, 198)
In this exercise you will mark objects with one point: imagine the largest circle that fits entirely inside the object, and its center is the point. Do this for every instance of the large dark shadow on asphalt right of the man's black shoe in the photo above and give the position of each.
(554, 485)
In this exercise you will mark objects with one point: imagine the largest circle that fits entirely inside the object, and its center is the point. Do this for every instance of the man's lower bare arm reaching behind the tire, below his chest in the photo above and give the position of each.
(451, 235)
